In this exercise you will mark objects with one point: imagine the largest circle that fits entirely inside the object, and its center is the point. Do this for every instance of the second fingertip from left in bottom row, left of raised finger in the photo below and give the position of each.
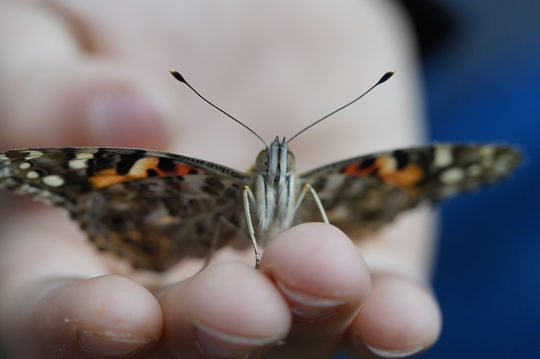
(227, 310)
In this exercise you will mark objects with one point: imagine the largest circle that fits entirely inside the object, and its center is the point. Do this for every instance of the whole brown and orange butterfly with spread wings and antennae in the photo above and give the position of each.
(154, 208)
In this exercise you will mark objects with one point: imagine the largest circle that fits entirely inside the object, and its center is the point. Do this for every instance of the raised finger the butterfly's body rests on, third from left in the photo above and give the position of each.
(323, 278)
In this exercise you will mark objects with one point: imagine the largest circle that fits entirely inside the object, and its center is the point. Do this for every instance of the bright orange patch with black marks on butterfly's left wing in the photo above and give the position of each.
(142, 168)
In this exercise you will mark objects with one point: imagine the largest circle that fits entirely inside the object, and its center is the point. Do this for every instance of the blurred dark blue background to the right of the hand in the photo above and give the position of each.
(481, 64)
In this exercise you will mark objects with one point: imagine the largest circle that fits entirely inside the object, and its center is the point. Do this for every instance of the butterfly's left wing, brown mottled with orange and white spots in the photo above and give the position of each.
(152, 208)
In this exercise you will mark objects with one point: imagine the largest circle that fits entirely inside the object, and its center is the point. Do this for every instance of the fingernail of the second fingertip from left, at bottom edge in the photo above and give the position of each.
(211, 341)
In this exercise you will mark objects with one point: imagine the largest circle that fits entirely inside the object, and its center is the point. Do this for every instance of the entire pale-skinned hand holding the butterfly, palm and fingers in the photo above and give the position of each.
(74, 74)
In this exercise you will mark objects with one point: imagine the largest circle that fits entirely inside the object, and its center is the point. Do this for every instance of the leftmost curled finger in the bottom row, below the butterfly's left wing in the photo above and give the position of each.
(107, 316)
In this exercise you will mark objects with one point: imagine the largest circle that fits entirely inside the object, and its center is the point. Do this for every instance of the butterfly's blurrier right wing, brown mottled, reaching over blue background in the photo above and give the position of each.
(363, 193)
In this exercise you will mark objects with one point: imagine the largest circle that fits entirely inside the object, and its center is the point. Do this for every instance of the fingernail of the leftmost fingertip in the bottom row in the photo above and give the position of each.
(110, 344)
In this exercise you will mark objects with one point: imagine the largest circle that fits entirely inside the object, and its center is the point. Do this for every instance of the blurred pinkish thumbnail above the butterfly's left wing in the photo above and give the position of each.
(131, 119)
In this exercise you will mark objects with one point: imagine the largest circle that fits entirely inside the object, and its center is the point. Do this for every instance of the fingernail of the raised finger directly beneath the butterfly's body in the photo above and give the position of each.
(309, 307)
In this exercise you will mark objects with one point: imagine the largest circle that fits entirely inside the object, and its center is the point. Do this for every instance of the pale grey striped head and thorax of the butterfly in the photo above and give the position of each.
(274, 187)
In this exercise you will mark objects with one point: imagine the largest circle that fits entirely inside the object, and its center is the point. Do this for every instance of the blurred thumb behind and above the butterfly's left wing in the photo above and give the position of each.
(81, 104)
